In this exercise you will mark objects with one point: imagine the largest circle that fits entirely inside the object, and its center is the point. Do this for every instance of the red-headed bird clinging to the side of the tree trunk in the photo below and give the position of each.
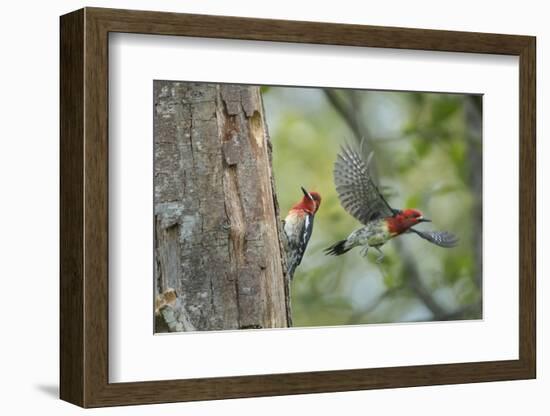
(299, 226)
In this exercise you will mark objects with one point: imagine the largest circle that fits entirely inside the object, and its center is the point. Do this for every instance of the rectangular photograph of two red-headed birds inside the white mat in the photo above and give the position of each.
(287, 206)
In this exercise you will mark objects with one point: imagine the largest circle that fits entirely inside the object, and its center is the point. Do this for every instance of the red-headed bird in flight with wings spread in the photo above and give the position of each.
(361, 198)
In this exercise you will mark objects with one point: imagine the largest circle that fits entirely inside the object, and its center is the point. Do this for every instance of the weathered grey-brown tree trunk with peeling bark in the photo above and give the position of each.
(218, 253)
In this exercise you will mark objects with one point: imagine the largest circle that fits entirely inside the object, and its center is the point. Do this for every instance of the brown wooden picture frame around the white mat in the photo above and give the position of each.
(84, 207)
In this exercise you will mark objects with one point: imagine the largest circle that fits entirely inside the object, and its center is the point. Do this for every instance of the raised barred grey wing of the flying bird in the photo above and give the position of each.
(356, 189)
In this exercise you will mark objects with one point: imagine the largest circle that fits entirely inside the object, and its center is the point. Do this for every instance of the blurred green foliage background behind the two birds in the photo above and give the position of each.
(423, 149)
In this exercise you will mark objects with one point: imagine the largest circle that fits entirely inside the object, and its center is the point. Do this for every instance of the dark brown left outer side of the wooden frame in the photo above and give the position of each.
(71, 210)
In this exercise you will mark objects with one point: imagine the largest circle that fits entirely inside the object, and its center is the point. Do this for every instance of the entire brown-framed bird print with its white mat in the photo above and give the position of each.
(260, 207)
